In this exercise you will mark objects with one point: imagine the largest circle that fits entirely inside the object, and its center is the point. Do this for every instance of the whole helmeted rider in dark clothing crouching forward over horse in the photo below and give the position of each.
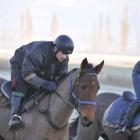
(36, 65)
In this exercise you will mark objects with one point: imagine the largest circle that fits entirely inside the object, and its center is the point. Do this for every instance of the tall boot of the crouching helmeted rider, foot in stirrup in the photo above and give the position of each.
(16, 120)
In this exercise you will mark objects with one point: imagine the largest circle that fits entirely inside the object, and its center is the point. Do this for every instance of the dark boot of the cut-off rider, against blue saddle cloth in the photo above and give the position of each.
(125, 126)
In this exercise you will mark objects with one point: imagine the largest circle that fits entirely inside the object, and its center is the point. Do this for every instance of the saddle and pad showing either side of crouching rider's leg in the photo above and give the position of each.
(28, 103)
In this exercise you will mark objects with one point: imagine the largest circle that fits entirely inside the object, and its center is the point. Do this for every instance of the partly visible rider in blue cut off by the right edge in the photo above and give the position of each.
(135, 106)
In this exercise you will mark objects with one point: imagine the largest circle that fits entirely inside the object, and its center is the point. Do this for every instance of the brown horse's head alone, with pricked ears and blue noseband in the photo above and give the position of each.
(87, 88)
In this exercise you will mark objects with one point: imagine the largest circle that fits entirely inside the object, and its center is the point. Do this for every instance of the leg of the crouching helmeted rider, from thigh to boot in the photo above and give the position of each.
(19, 88)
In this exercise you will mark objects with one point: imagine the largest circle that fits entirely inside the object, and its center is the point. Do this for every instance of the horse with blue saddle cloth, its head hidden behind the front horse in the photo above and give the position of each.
(110, 111)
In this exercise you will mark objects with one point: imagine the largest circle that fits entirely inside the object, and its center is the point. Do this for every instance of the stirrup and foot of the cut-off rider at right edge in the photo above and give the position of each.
(124, 131)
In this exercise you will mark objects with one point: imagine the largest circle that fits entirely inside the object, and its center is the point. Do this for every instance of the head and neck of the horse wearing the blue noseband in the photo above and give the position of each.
(77, 90)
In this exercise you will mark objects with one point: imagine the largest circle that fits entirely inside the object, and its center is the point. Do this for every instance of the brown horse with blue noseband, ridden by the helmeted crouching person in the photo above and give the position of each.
(78, 90)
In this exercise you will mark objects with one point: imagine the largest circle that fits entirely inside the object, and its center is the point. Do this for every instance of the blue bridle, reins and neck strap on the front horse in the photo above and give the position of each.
(77, 102)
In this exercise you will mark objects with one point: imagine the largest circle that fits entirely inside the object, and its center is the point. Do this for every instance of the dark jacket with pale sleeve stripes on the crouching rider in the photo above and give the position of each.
(39, 63)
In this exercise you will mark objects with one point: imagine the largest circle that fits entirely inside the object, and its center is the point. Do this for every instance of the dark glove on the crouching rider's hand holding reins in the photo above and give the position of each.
(48, 86)
